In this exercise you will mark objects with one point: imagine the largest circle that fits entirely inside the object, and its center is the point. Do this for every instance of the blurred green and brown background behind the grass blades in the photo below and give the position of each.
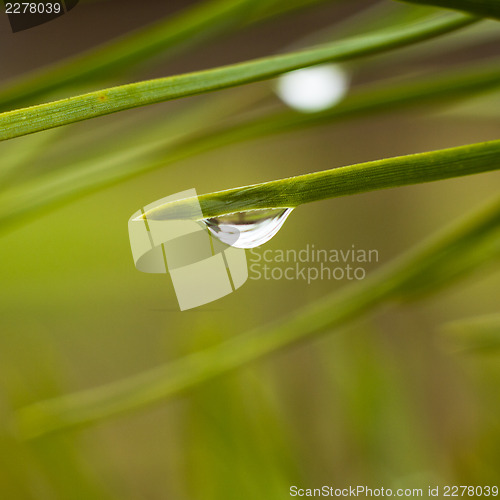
(384, 402)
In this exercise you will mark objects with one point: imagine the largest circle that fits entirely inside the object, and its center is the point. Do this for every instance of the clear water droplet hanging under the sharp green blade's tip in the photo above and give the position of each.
(248, 229)
